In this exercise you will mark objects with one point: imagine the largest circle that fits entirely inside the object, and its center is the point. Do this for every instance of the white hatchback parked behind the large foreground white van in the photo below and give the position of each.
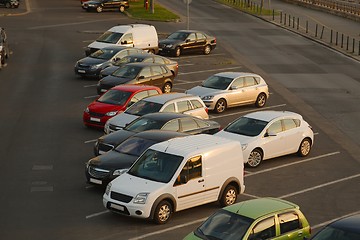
(269, 134)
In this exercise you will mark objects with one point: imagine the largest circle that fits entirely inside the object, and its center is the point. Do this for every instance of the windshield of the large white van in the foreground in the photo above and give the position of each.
(156, 166)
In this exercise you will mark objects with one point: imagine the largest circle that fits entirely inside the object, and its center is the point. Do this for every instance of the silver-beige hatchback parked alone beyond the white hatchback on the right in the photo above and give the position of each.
(231, 89)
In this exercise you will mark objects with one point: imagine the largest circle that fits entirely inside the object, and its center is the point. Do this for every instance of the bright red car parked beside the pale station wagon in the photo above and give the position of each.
(115, 101)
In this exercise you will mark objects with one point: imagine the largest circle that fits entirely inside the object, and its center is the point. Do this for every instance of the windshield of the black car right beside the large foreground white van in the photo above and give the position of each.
(135, 146)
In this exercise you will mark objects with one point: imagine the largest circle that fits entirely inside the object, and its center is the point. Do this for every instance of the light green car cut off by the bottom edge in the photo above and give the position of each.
(257, 219)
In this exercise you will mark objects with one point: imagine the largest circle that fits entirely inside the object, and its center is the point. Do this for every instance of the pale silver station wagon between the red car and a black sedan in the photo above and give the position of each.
(169, 102)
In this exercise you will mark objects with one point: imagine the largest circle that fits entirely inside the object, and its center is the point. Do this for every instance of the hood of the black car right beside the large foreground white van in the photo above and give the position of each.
(113, 160)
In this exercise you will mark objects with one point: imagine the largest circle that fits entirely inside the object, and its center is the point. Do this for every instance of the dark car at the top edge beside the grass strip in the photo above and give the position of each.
(102, 5)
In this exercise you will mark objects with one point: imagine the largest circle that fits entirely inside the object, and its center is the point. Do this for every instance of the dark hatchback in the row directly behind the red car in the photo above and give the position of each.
(155, 74)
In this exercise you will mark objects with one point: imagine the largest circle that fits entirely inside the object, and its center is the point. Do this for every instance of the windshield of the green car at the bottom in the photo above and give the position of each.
(224, 225)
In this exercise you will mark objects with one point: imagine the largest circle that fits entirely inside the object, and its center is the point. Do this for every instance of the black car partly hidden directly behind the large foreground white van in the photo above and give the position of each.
(104, 168)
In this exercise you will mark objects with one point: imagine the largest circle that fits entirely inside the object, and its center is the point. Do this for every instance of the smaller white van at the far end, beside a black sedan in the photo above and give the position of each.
(141, 36)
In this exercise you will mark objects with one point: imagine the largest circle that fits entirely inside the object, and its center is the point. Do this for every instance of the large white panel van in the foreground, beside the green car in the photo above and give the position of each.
(178, 174)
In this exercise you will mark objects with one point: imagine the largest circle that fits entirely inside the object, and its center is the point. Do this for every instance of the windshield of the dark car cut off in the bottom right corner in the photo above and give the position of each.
(333, 233)
